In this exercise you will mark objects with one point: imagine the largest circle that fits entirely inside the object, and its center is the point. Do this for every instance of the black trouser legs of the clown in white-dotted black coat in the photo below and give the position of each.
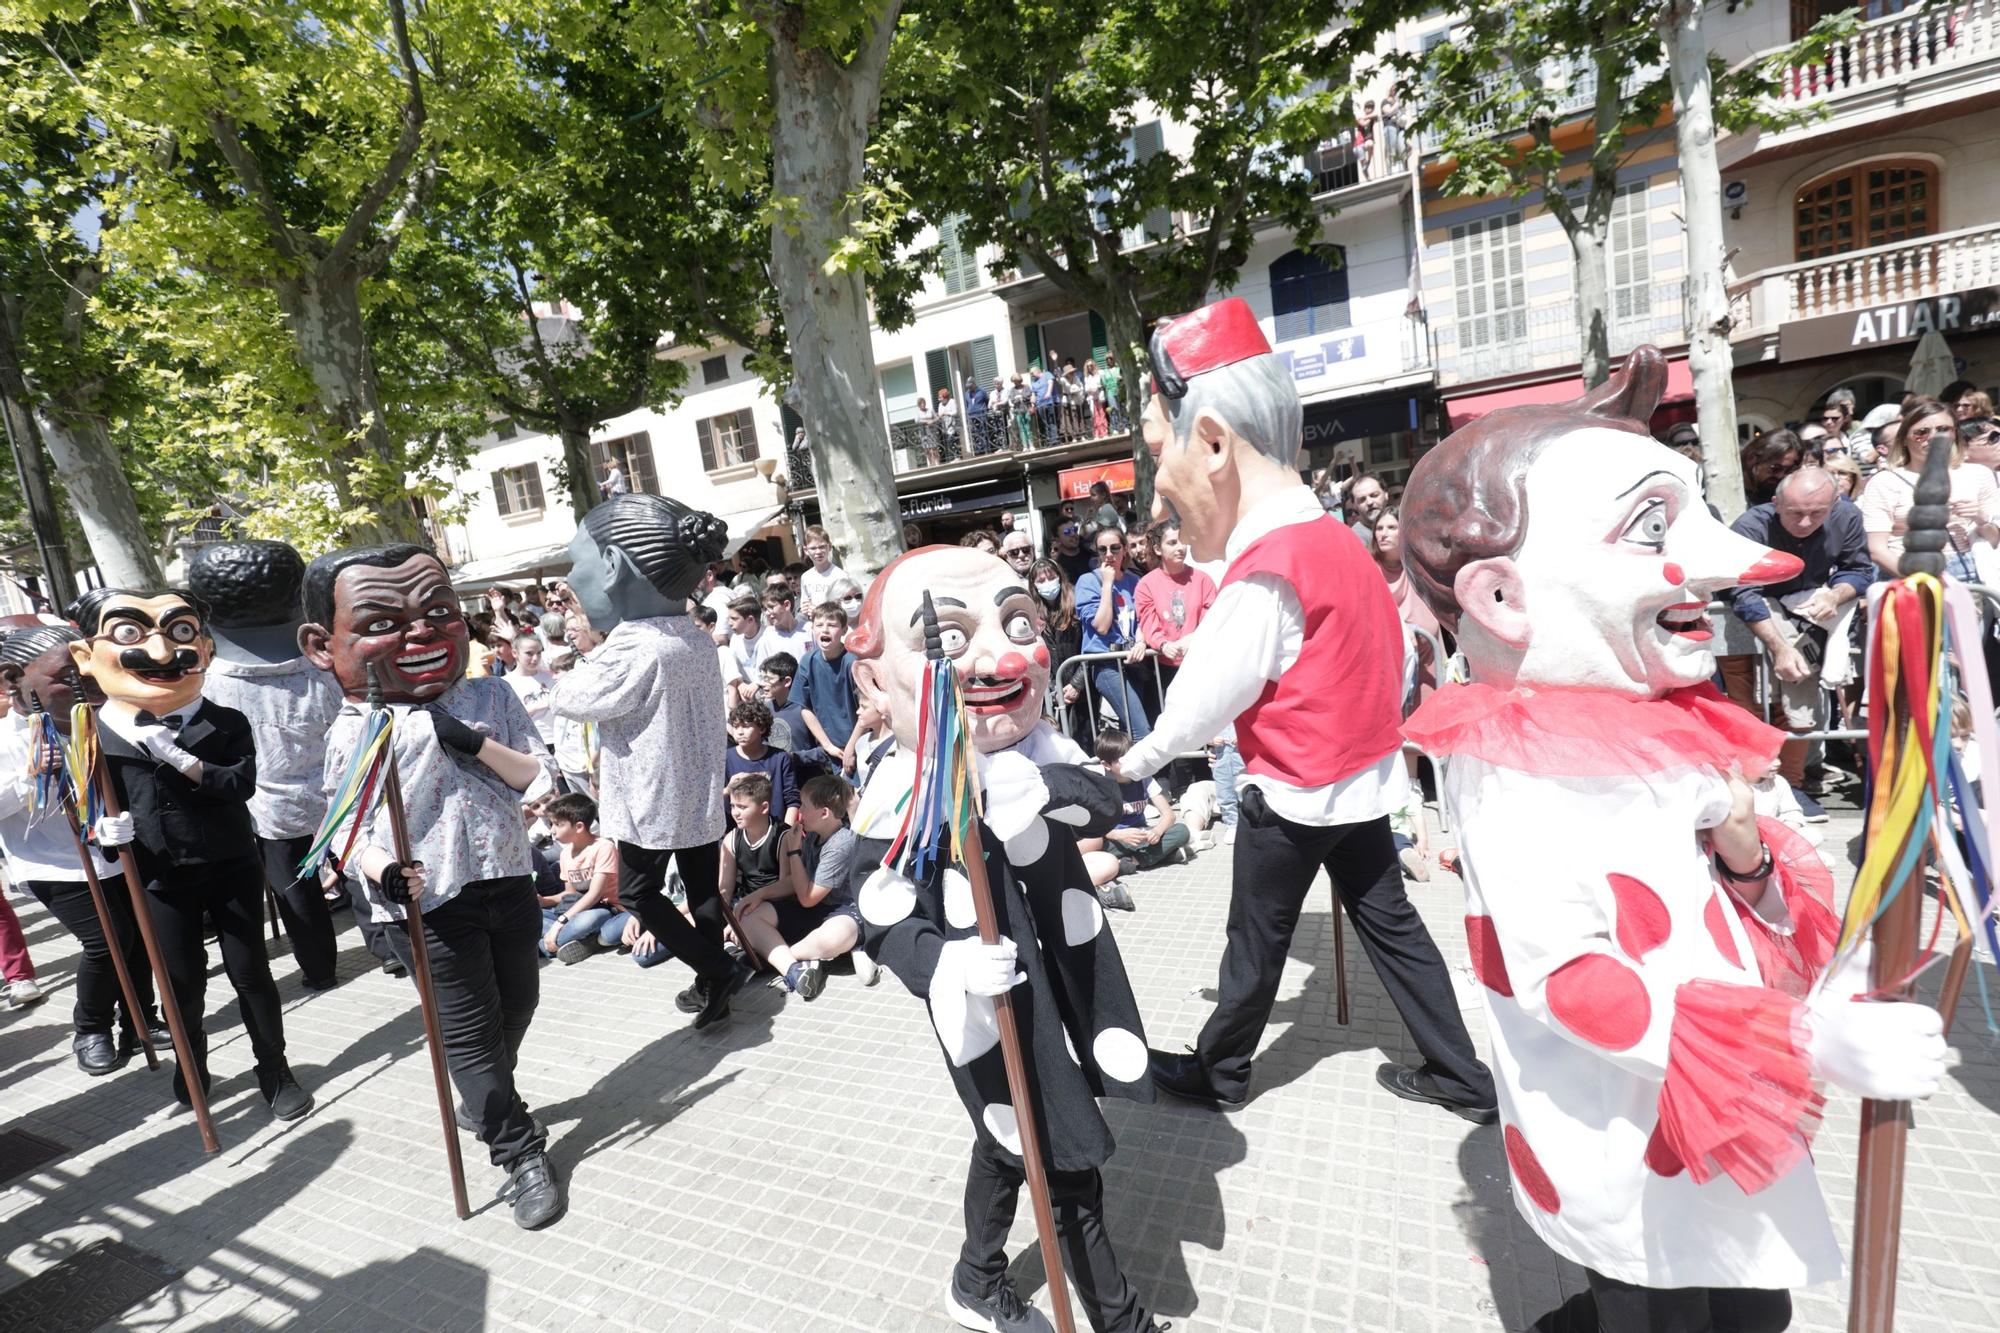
(993, 1188)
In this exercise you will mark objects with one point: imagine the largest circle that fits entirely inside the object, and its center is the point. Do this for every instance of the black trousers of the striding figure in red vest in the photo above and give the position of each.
(1273, 870)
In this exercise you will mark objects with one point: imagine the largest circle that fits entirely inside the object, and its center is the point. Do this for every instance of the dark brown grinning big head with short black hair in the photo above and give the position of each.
(391, 609)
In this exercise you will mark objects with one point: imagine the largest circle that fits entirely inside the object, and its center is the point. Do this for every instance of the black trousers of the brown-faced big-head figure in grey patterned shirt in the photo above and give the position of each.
(487, 980)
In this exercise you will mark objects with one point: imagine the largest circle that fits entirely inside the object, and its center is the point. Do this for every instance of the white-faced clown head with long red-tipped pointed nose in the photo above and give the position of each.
(1571, 551)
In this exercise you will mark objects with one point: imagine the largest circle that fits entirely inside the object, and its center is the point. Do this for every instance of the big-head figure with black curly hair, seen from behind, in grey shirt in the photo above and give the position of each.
(251, 591)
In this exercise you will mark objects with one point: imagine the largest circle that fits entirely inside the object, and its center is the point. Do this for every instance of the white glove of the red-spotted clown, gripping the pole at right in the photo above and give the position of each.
(1881, 1050)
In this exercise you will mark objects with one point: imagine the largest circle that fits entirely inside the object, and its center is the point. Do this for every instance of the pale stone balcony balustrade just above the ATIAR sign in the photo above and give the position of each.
(1865, 279)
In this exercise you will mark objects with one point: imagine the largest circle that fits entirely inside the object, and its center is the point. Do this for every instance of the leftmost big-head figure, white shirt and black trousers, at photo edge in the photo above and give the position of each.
(41, 854)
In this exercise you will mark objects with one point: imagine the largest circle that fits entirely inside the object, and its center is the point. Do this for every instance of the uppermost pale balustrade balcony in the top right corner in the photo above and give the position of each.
(1907, 67)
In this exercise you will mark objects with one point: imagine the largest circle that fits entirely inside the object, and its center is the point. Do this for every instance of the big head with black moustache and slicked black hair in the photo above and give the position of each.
(145, 651)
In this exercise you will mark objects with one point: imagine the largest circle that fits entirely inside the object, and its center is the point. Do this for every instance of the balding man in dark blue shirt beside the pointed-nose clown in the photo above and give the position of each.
(1811, 521)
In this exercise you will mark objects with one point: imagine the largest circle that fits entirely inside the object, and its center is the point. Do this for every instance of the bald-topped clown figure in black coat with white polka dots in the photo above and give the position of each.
(1075, 1012)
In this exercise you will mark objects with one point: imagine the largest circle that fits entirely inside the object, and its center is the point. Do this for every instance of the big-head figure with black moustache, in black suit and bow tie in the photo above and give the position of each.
(185, 772)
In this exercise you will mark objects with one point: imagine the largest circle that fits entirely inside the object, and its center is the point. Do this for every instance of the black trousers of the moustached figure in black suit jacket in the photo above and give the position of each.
(229, 894)
